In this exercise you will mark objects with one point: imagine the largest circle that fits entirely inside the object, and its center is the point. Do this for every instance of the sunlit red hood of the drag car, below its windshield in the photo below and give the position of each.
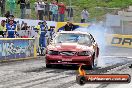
(70, 47)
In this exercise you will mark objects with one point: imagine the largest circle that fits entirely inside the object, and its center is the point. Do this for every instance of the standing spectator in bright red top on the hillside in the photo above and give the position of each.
(62, 9)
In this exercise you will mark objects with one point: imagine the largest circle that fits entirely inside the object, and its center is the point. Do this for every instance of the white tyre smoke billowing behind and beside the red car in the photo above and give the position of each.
(98, 31)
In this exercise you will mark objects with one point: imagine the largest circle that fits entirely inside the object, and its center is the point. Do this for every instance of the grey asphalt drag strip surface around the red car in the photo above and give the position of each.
(34, 74)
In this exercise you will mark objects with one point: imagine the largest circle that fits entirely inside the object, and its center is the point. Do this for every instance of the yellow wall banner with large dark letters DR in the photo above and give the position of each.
(119, 40)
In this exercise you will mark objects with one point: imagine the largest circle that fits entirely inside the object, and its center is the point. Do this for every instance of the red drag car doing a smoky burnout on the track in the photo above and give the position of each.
(72, 48)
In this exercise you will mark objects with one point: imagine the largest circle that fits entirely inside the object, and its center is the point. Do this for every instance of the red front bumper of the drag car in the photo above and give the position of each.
(68, 60)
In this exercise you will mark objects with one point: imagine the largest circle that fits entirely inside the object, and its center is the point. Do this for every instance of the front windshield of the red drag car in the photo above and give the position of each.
(73, 38)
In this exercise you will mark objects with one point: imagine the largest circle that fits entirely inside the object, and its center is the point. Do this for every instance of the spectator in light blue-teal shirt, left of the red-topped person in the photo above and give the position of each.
(54, 9)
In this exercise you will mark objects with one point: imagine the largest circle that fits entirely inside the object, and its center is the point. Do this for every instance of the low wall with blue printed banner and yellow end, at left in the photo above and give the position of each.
(17, 49)
